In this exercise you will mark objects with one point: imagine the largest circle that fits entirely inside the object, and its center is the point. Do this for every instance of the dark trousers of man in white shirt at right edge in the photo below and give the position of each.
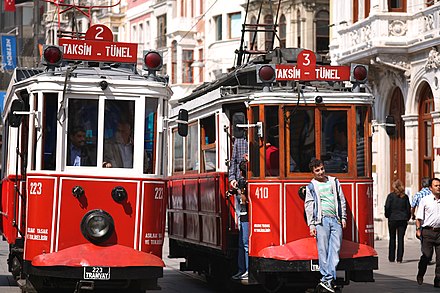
(430, 240)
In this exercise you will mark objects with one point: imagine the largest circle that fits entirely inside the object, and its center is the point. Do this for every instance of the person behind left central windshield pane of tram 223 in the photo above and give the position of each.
(78, 154)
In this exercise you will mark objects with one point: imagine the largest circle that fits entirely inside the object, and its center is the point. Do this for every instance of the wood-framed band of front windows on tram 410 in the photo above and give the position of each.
(295, 135)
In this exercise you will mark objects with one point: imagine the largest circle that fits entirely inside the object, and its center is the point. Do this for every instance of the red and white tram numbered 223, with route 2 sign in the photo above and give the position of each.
(83, 192)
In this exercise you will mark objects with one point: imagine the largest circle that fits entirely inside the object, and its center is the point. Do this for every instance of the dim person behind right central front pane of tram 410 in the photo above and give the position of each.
(337, 163)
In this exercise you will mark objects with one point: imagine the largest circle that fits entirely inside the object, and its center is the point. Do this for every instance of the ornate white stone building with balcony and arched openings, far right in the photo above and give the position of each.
(400, 41)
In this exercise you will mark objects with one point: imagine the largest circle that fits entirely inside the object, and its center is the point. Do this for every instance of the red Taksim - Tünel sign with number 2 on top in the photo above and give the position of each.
(98, 45)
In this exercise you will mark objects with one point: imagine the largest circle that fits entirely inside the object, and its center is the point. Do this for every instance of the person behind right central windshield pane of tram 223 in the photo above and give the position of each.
(118, 150)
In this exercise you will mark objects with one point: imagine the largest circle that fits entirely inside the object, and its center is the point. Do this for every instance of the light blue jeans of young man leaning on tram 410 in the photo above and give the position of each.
(328, 240)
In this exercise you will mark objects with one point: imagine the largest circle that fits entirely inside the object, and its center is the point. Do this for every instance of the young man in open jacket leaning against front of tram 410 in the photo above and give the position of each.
(325, 208)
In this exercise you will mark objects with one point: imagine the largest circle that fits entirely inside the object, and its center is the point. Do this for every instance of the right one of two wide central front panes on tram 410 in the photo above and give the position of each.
(334, 142)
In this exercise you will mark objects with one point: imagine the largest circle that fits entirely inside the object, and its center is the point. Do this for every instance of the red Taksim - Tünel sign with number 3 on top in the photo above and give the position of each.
(306, 69)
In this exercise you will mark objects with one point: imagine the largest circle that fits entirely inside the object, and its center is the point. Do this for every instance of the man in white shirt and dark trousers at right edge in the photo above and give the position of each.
(428, 229)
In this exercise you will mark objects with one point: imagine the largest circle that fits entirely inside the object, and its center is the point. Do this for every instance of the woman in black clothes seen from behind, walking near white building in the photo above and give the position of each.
(398, 212)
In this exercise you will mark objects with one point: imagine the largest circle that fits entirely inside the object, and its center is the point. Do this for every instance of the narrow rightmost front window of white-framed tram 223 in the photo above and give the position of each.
(149, 135)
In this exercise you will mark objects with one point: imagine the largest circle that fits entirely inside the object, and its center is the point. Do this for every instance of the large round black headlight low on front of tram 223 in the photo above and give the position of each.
(97, 226)
